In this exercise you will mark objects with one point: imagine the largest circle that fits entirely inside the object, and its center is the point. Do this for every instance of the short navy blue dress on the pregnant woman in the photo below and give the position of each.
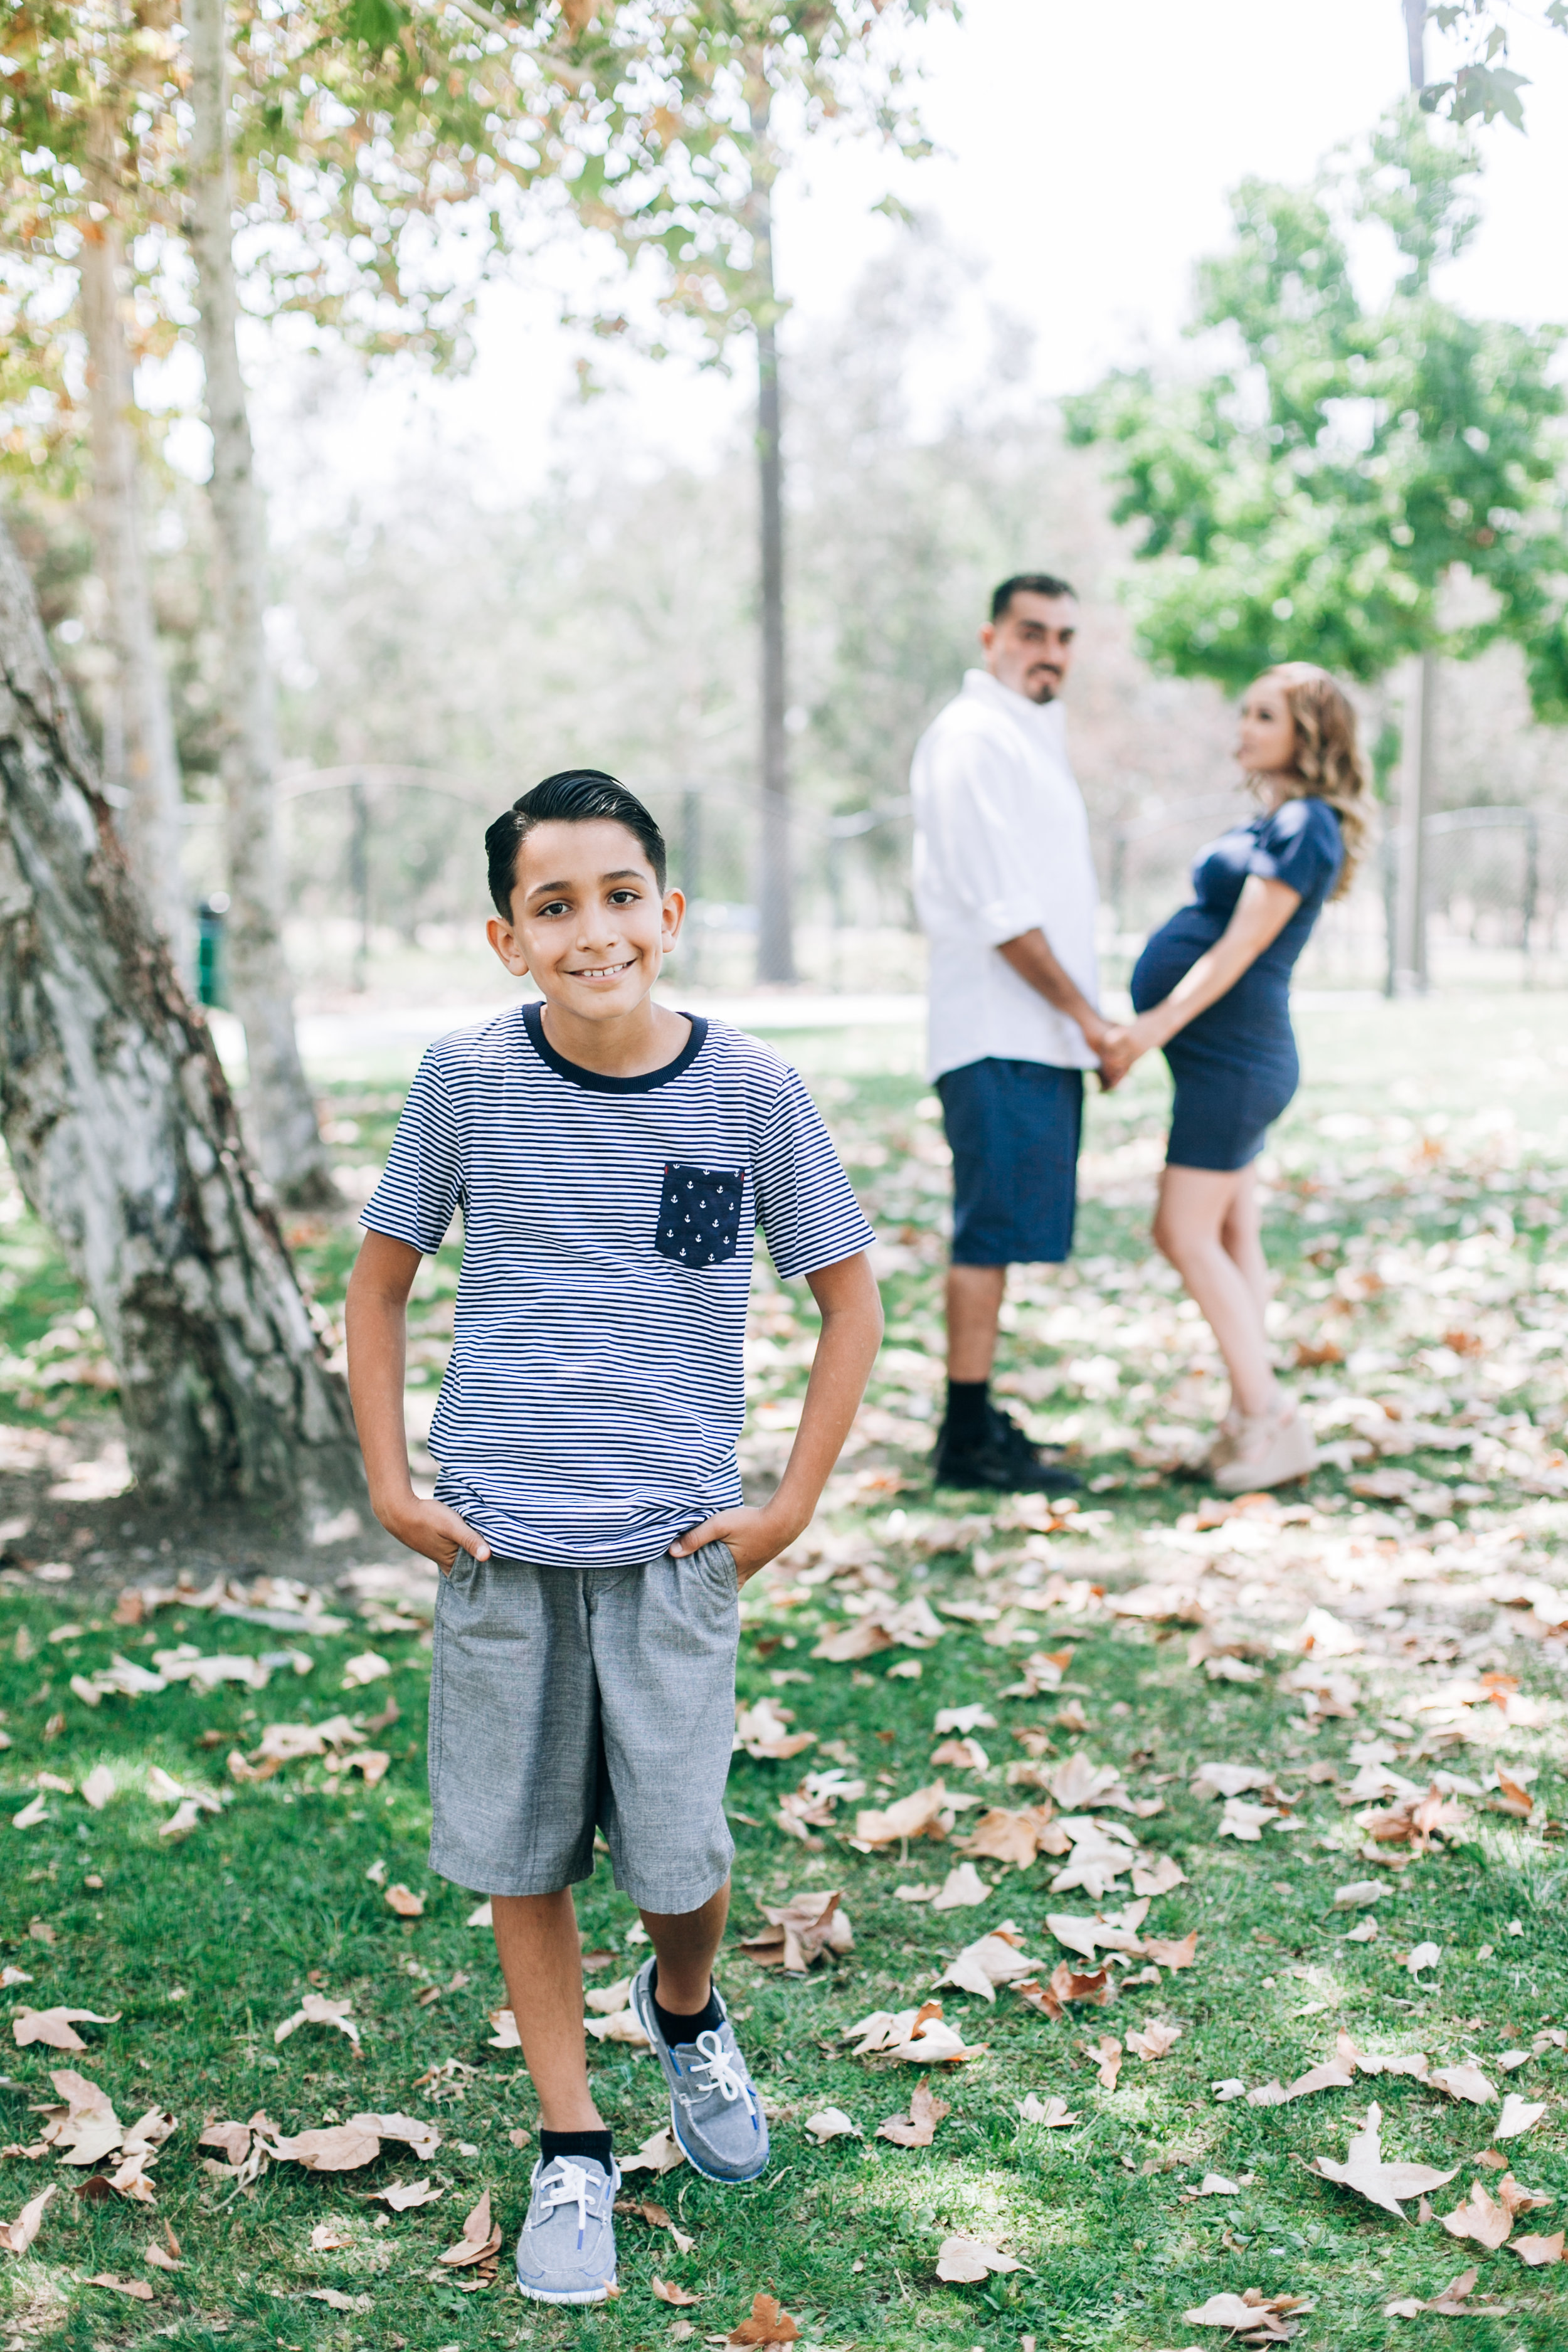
(1235, 1067)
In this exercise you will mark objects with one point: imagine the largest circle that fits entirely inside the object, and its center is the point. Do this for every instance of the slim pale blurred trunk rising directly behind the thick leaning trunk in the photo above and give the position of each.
(145, 733)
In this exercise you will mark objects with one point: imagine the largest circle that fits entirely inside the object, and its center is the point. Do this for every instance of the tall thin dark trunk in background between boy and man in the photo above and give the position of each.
(775, 860)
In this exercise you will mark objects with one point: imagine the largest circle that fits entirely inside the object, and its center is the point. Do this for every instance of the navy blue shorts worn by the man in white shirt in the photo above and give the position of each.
(1014, 1130)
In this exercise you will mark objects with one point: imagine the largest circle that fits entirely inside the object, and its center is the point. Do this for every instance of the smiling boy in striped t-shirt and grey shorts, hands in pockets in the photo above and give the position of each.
(612, 1161)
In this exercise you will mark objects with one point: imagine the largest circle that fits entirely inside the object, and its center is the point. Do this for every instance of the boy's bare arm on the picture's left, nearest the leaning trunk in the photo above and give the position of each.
(377, 1330)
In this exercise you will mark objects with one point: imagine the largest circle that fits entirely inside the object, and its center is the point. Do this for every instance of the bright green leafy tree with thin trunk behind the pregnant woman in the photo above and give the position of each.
(1362, 483)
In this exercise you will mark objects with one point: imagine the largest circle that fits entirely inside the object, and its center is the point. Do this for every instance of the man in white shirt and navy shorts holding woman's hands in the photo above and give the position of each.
(1007, 895)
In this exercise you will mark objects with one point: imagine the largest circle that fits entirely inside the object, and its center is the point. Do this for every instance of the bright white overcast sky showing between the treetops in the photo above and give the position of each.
(1085, 166)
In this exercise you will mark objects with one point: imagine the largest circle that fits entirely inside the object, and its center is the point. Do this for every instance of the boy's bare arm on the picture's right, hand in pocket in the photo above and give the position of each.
(845, 1354)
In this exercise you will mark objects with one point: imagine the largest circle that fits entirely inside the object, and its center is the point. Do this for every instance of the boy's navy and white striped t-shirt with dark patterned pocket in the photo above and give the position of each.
(596, 1384)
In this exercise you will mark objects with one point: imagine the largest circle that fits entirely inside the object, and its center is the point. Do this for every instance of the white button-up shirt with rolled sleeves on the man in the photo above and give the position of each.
(1000, 848)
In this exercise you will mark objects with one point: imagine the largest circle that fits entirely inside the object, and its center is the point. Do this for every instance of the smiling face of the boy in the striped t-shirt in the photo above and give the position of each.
(589, 918)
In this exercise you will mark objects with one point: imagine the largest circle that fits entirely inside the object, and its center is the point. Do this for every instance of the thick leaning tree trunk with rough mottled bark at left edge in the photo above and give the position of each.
(123, 1135)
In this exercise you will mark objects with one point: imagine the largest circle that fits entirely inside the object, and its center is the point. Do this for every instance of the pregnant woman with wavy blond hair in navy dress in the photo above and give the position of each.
(1214, 991)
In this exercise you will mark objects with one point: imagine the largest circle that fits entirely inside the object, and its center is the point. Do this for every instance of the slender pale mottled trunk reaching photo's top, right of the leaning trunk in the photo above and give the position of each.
(281, 1116)
